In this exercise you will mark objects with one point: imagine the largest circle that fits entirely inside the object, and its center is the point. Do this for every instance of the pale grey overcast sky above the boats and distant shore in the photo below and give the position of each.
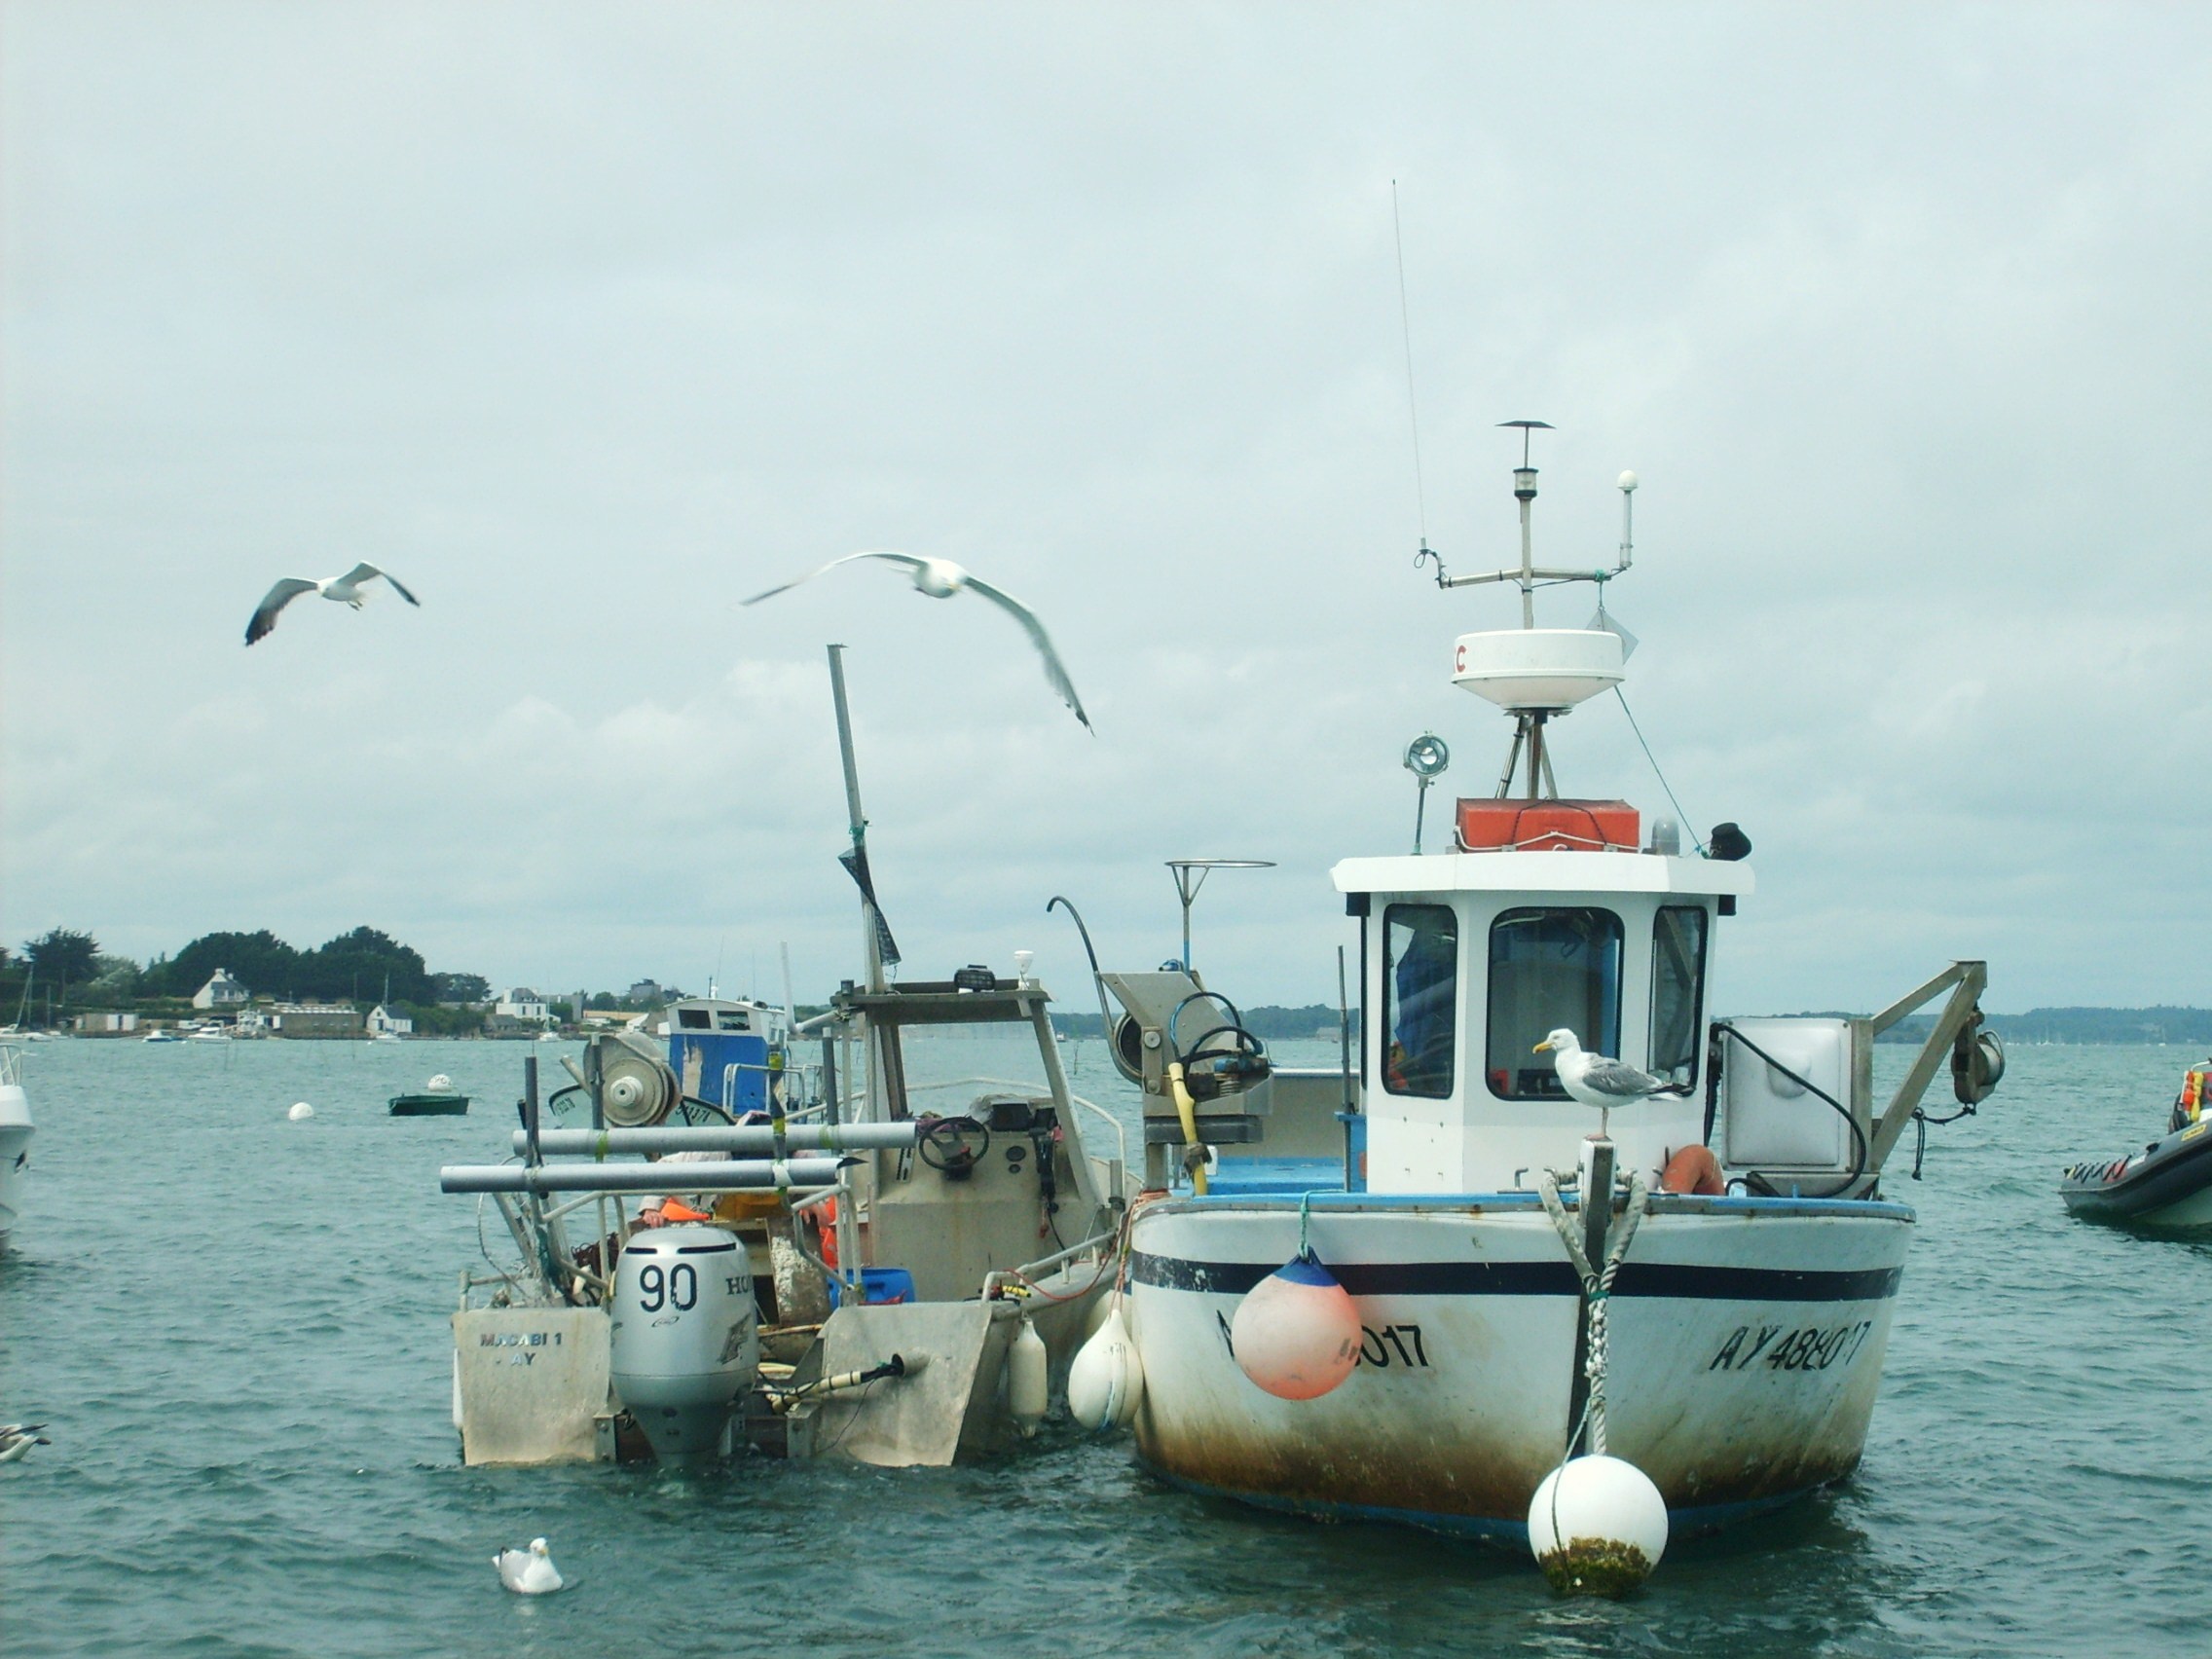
(592, 322)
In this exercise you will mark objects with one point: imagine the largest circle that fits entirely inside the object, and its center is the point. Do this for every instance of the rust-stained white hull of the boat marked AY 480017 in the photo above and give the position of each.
(1746, 1353)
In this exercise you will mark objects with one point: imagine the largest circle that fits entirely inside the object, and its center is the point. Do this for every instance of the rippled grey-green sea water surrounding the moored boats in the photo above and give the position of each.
(236, 1328)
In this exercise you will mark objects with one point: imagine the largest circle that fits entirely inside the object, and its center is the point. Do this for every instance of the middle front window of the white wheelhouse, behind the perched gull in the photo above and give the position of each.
(1550, 970)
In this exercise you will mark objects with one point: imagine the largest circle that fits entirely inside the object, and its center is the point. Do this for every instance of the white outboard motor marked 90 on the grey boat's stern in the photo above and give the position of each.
(687, 1337)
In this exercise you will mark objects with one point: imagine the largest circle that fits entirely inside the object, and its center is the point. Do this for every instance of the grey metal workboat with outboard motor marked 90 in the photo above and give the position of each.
(780, 1235)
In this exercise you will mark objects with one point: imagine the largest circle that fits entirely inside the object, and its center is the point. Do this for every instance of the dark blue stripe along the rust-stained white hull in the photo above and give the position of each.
(1536, 1280)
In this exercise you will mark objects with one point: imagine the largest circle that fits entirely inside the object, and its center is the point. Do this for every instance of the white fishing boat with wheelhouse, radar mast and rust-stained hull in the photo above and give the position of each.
(1426, 1288)
